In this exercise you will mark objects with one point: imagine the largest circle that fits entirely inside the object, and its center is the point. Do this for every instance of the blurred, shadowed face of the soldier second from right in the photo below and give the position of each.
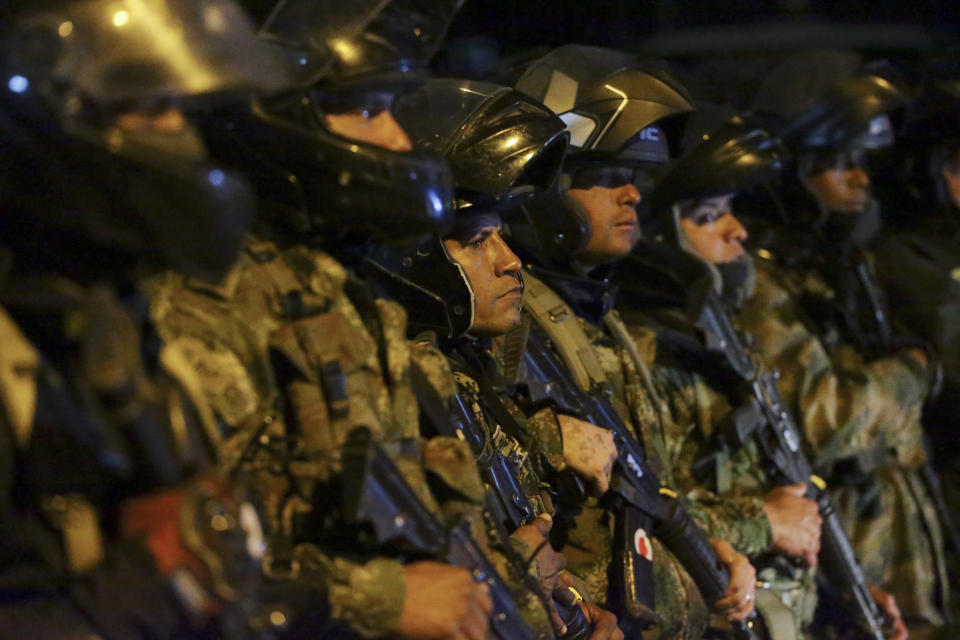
(840, 182)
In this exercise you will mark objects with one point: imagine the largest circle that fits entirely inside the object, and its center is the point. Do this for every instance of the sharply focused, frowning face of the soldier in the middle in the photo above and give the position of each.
(494, 274)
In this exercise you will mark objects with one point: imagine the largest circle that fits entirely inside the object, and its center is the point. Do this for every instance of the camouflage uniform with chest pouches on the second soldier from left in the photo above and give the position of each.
(294, 353)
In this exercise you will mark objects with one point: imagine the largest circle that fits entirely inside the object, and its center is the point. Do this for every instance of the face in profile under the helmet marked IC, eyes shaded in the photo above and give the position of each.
(612, 209)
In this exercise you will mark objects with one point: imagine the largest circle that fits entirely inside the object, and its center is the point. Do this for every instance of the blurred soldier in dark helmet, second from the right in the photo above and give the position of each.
(819, 318)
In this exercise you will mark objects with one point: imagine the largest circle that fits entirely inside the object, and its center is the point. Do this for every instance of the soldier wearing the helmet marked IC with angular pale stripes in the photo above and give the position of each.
(620, 113)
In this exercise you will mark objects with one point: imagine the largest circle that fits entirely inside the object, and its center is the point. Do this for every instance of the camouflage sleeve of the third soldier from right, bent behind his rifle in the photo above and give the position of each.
(736, 514)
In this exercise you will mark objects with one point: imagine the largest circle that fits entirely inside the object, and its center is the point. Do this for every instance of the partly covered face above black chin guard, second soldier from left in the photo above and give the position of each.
(369, 120)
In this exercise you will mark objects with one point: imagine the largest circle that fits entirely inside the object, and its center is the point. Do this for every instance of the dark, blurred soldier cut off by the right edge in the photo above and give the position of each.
(917, 259)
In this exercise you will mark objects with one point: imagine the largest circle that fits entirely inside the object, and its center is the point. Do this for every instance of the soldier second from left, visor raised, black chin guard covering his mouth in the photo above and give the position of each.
(297, 349)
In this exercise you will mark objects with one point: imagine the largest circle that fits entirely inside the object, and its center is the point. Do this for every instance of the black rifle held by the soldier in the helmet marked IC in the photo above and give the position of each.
(643, 507)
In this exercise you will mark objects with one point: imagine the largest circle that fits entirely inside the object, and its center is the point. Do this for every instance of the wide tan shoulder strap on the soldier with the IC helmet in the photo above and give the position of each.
(559, 321)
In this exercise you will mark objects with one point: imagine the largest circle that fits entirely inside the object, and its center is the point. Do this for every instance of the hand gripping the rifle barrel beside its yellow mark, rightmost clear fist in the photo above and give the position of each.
(795, 522)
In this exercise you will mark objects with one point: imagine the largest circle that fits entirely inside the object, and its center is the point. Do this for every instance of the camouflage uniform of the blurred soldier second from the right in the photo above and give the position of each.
(862, 421)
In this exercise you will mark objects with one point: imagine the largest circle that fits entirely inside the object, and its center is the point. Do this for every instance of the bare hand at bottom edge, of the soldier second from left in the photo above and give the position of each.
(442, 602)
